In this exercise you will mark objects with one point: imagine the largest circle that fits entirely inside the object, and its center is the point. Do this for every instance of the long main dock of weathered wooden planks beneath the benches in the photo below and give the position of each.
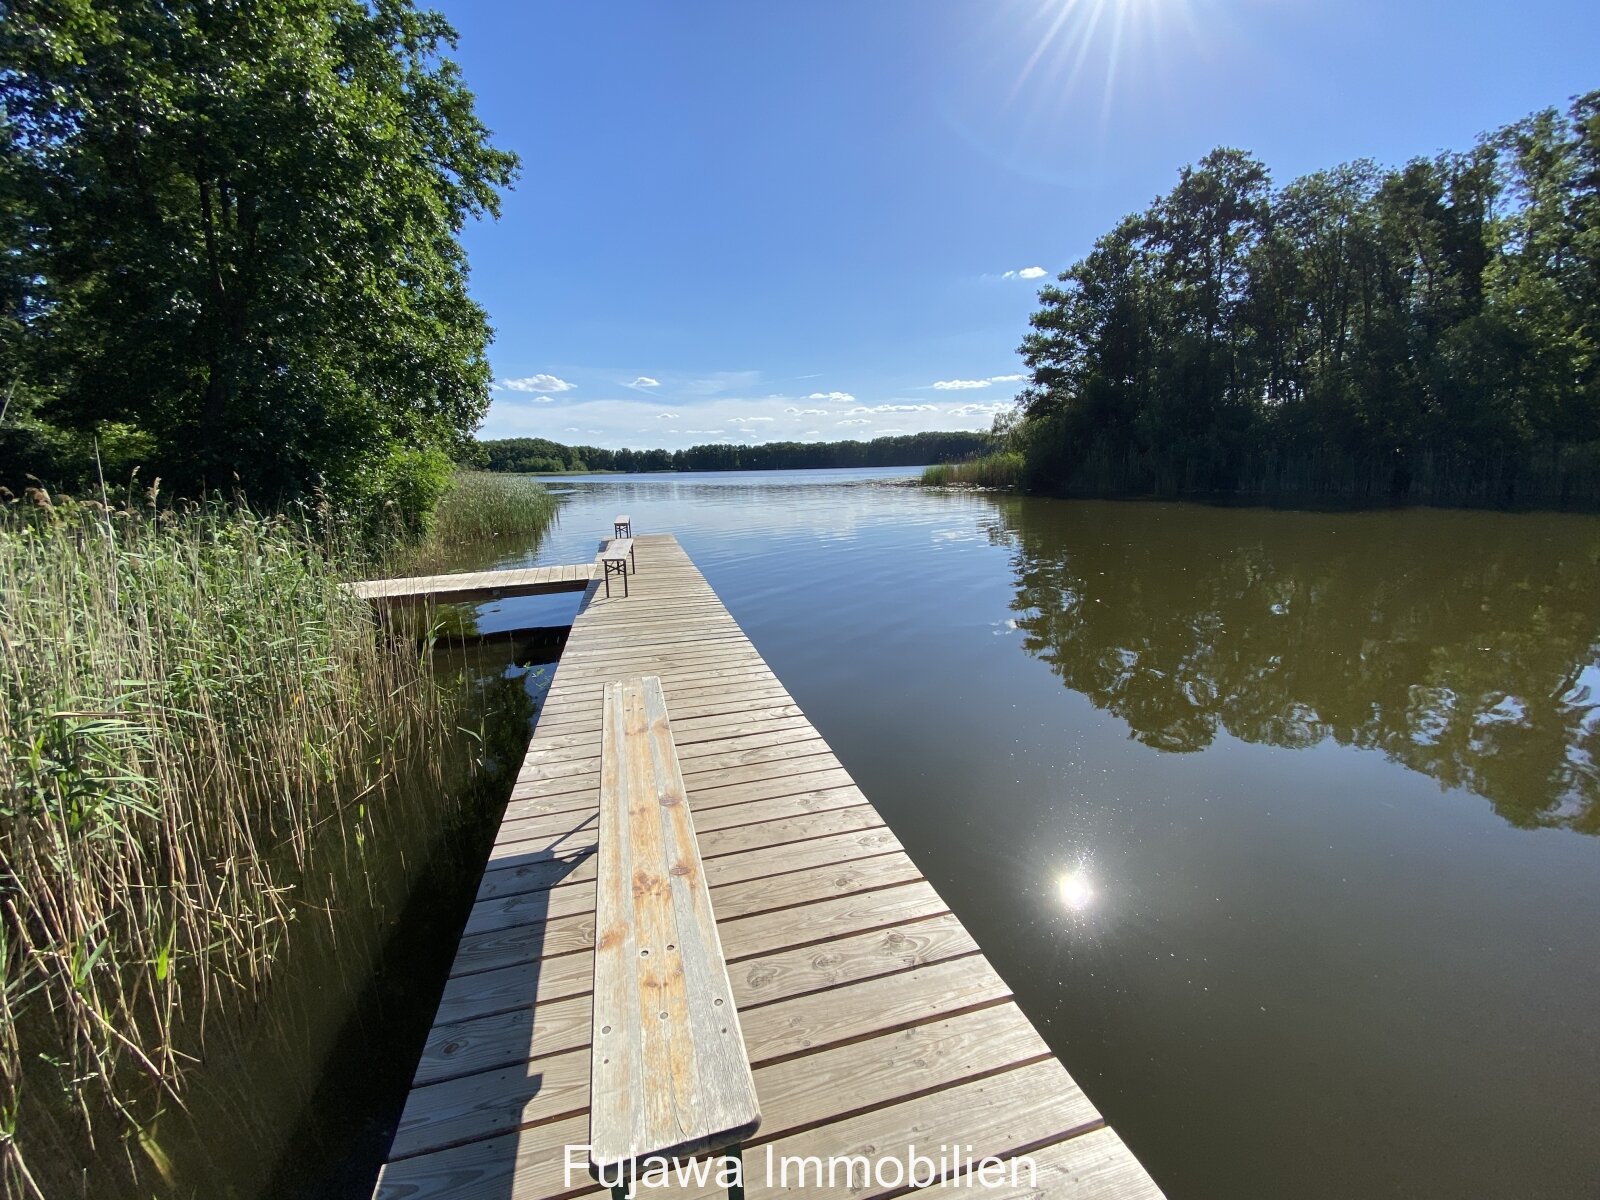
(871, 1017)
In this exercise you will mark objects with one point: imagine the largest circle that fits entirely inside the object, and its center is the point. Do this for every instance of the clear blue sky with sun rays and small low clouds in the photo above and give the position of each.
(825, 220)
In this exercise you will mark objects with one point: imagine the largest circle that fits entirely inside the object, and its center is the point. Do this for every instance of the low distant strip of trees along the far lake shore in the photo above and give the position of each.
(910, 450)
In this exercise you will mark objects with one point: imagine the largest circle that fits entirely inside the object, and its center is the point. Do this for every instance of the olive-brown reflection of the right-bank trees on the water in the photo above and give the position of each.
(1460, 644)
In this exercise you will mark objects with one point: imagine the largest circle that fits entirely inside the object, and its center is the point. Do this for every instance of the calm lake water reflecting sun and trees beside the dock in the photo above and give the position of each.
(1281, 825)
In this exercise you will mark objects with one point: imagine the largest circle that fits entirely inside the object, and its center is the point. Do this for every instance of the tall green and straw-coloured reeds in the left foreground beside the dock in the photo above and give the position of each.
(201, 737)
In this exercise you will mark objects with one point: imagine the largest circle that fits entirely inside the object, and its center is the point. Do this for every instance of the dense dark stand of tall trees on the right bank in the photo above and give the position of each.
(1425, 334)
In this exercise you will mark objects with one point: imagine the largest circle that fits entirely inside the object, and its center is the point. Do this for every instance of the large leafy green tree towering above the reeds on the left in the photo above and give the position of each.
(233, 238)
